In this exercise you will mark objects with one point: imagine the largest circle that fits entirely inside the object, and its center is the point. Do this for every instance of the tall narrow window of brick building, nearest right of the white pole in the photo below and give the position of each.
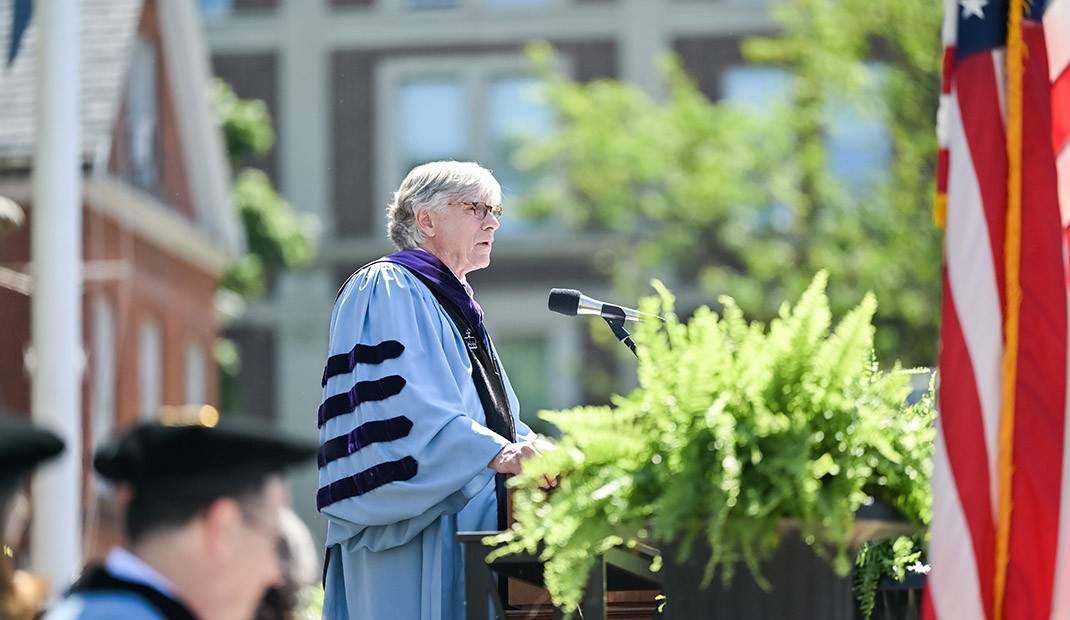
(103, 404)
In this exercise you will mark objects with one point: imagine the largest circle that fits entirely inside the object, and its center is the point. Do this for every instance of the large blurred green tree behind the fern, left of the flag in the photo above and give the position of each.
(742, 202)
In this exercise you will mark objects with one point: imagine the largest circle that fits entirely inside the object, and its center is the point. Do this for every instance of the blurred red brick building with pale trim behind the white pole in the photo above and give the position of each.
(159, 226)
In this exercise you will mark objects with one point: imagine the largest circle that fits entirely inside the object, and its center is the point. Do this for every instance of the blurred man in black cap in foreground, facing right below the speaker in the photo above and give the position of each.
(203, 524)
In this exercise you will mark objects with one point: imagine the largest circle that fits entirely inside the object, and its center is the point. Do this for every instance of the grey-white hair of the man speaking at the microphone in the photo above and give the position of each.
(430, 188)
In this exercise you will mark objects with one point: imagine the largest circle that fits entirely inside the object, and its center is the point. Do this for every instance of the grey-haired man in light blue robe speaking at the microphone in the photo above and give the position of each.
(419, 422)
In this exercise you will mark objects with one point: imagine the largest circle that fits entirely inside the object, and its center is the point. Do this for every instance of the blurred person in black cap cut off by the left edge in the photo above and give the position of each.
(22, 447)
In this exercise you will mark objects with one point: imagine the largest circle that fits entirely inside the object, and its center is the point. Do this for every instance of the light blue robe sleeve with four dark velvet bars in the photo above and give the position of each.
(416, 444)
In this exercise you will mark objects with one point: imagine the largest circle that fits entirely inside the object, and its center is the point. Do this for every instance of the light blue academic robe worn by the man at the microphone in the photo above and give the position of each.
(393, 551)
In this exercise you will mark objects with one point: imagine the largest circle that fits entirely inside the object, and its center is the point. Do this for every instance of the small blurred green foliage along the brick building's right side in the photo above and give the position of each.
(277, 235)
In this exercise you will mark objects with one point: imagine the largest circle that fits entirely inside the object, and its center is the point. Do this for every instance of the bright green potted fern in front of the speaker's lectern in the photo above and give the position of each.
(733, 430)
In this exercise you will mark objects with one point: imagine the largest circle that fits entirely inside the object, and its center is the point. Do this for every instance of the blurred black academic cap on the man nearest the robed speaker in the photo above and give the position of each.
(158, 455)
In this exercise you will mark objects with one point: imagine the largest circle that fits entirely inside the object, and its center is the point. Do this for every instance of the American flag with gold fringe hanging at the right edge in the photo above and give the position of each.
(1001, 534)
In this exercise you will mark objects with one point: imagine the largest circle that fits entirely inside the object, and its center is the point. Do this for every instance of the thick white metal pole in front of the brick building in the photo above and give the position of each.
(56, 255)
